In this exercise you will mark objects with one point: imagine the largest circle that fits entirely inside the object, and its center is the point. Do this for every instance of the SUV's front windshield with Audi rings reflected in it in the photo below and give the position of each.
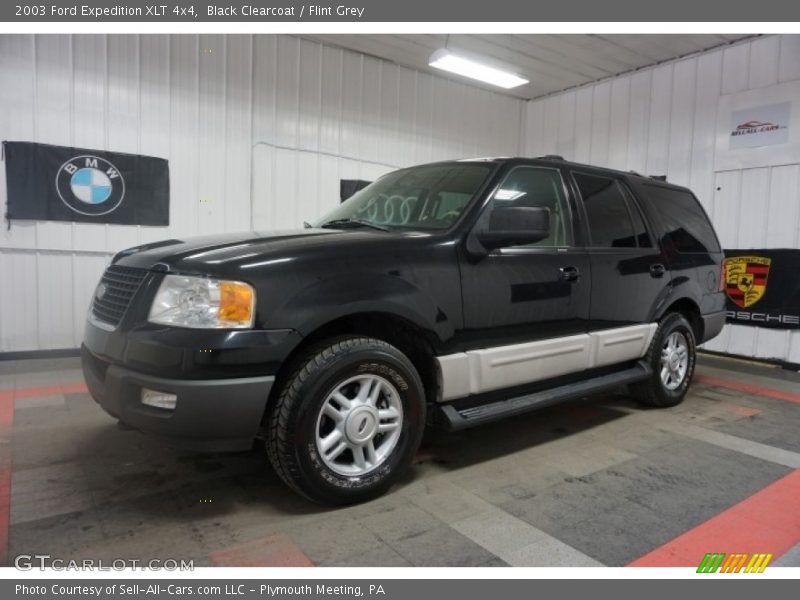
(427, 197)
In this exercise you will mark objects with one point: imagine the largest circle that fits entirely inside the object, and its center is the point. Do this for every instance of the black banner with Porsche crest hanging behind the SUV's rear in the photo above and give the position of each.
(763, 287)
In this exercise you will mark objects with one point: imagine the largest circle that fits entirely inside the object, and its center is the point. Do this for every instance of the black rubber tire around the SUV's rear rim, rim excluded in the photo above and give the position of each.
(653, 391)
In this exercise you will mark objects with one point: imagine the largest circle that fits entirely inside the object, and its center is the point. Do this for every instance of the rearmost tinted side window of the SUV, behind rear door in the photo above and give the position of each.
(685, 224)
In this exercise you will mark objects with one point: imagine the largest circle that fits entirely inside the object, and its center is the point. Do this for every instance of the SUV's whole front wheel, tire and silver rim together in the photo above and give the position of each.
(348, 422)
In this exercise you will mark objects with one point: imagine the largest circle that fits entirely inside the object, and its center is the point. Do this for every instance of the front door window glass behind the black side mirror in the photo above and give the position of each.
(537, 187)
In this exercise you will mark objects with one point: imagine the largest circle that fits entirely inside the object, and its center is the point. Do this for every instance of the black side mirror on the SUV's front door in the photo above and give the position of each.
(515, 226)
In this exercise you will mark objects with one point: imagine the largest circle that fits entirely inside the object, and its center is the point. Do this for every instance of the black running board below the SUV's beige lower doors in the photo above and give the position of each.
(486, 413)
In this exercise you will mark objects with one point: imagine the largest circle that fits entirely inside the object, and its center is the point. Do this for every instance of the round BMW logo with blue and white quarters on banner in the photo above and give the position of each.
(90, 185)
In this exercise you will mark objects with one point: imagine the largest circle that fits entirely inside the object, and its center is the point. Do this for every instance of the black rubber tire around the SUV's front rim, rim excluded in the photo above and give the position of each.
(293, 420)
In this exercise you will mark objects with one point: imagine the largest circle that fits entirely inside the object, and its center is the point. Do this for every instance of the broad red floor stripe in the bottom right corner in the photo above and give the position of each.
(767, 521)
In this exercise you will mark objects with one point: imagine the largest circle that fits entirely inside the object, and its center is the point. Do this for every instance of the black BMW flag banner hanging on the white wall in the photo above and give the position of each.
(59, 183)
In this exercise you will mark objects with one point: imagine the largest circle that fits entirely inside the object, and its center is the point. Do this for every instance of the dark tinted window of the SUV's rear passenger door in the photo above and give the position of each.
(609, 218)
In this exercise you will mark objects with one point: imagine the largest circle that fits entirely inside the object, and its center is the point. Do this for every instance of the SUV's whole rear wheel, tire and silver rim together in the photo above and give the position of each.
(672, 358)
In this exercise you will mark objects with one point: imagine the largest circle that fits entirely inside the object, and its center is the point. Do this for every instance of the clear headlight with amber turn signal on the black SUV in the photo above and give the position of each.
(203, 303)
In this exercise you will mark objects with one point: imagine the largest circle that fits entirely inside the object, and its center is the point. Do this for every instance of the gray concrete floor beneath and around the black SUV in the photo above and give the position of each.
(599, 481)
